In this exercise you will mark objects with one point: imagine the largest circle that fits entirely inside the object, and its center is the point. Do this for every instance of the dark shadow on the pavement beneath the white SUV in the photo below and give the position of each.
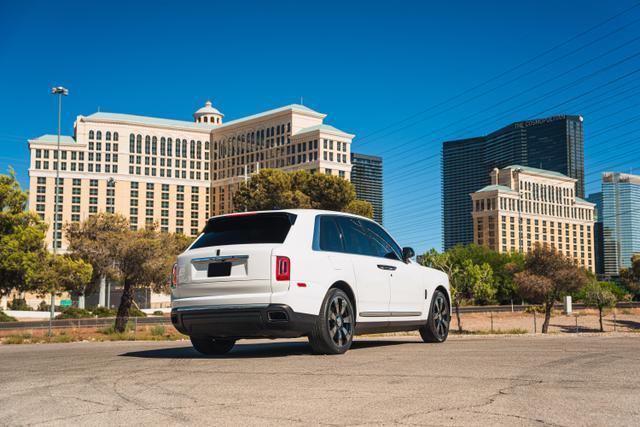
(262, 350)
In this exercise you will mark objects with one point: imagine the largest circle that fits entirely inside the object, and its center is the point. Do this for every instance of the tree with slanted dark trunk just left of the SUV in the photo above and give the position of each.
(141, 258)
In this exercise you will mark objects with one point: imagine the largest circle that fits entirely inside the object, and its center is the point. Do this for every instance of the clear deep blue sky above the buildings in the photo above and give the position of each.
(371, 66)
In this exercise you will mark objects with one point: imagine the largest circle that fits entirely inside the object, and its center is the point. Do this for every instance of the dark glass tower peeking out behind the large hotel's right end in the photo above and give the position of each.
(366, 177)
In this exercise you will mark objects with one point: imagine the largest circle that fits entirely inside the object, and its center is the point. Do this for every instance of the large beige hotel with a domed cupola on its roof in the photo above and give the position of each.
(174, 173)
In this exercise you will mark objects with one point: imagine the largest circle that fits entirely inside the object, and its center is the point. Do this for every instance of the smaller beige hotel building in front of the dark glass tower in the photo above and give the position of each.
(524, 206)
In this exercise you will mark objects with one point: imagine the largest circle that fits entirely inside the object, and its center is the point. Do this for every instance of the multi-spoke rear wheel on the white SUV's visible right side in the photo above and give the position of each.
(335, 326)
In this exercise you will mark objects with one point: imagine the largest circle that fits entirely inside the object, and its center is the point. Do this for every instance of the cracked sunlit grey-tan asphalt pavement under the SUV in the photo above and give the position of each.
(524, 380)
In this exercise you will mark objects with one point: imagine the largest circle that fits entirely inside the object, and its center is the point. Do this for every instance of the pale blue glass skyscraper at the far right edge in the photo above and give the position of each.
(620, 219)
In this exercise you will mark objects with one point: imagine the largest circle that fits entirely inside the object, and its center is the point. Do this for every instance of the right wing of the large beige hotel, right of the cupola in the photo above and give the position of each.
(289, 138)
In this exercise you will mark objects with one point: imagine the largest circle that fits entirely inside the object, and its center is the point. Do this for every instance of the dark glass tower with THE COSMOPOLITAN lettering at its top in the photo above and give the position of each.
(554, 143)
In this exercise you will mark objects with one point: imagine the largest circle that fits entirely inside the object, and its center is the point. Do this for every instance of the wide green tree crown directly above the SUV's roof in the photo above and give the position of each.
(275, 189)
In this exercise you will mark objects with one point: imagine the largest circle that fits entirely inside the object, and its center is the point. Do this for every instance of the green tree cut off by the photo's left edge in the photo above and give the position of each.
(21, 237)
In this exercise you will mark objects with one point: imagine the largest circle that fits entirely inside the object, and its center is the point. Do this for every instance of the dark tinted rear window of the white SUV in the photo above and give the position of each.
(245, 229)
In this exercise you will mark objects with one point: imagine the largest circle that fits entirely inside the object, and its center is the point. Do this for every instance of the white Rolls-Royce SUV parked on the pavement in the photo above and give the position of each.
(291, 273)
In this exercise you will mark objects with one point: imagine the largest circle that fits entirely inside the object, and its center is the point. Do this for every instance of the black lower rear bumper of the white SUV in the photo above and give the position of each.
(251, 321)
